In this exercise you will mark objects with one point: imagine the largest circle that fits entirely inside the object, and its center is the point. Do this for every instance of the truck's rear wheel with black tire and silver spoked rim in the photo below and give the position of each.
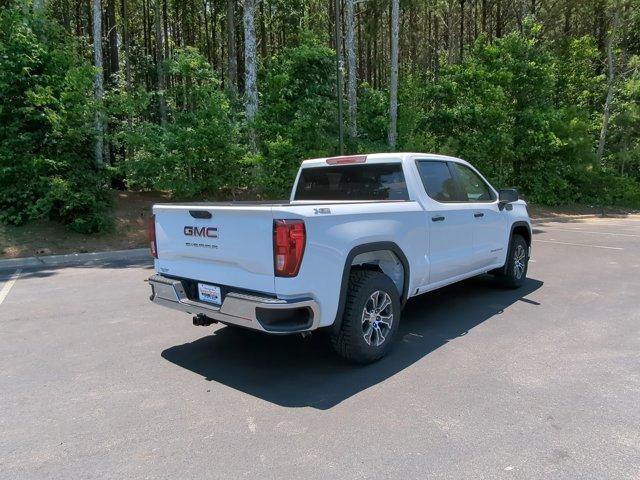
(350, 341)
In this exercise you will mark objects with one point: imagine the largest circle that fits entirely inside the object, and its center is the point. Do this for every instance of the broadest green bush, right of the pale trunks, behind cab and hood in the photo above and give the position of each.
(506, 109)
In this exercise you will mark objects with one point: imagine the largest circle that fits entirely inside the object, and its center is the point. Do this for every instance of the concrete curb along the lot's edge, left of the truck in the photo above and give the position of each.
(120, 256)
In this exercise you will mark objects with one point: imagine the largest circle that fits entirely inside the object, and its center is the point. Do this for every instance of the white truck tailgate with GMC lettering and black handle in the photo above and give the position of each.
(222, 245)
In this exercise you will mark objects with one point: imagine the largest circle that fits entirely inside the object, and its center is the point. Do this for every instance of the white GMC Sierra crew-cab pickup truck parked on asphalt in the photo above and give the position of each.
(359, 236)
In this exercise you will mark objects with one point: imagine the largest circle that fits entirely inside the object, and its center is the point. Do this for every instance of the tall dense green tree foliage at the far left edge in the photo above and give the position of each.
(46, 113)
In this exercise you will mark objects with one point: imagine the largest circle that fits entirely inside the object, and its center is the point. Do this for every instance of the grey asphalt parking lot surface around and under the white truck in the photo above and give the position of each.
(541, 382)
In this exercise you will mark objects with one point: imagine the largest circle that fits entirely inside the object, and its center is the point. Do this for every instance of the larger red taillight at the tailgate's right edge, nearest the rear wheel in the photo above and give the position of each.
(289, 238)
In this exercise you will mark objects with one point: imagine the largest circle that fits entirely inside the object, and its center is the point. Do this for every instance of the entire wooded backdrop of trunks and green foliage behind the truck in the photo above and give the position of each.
(222, 99)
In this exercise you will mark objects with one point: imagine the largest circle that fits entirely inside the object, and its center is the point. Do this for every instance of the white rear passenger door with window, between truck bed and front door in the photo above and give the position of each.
(450, 247)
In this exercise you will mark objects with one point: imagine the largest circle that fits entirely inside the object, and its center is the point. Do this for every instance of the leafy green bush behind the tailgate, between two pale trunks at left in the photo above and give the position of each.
(198, 150)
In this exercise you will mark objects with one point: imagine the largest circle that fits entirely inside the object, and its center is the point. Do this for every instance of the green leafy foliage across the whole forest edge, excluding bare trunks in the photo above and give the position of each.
(526, 107)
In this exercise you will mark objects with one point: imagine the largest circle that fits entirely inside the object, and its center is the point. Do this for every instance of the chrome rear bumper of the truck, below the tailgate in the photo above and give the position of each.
(266, 314)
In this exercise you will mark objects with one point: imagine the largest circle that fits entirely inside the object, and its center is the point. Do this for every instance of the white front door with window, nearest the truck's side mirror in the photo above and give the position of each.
(489, 222)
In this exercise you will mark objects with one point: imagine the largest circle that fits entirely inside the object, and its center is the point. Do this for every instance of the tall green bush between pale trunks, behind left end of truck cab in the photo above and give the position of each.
(297, 117)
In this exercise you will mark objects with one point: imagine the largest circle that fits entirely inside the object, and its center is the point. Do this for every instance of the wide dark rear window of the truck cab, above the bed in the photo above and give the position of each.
(377, 181)
